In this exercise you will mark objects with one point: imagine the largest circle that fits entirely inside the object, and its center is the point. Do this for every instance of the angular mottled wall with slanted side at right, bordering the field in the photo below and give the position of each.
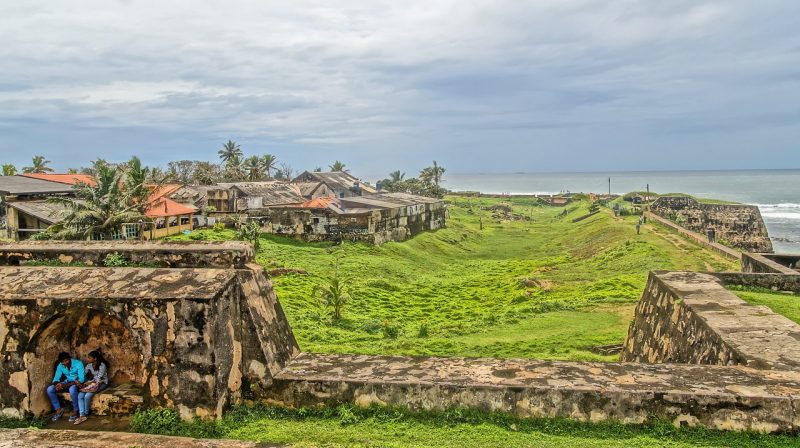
(688, 317)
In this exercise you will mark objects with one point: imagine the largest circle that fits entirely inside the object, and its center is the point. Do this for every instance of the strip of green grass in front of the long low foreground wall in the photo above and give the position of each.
(395, 427)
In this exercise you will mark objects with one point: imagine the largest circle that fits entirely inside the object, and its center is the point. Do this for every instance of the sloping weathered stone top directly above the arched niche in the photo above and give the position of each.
(32, 283)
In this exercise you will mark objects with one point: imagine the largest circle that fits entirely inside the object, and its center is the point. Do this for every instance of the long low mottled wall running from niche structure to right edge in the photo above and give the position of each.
(716, 397)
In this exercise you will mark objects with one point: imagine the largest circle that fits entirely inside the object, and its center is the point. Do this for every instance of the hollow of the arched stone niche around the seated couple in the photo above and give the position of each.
(79, 331)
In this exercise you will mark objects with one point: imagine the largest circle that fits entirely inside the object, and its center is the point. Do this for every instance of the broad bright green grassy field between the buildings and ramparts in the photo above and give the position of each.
(547, 289)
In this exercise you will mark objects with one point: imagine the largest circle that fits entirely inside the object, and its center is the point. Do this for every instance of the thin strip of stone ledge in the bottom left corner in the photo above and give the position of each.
(37, 438)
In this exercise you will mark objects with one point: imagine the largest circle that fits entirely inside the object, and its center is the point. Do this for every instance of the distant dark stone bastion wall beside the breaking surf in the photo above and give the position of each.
(740, 225)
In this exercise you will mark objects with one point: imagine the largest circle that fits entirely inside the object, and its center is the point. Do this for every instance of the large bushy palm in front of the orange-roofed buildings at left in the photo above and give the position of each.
(102, 209)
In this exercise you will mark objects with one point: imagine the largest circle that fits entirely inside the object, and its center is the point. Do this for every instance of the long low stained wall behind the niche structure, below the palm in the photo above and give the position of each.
(171, 254)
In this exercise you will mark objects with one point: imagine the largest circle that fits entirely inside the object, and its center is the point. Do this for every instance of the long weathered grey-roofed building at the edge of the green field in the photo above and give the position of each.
(375, 219)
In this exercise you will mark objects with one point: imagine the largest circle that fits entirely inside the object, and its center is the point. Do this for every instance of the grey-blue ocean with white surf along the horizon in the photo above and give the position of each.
(775, 192)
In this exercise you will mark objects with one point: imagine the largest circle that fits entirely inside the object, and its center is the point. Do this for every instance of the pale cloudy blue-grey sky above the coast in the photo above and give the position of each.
(480, 86)
